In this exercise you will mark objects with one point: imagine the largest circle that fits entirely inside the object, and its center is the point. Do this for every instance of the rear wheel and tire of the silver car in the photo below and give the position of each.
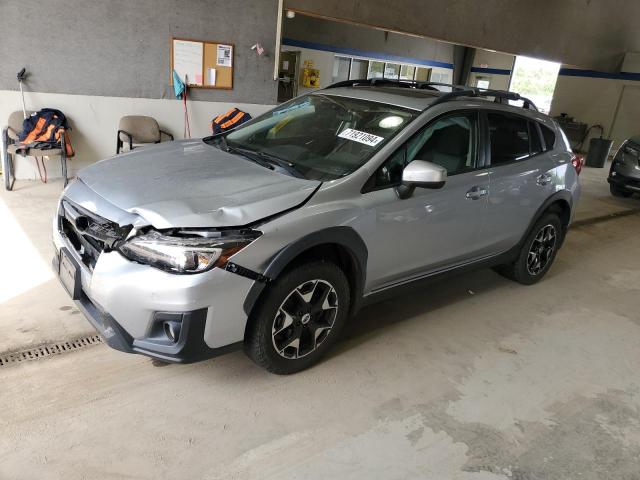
(537, 253)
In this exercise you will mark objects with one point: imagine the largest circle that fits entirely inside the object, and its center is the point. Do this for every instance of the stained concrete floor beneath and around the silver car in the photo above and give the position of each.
(472, 378)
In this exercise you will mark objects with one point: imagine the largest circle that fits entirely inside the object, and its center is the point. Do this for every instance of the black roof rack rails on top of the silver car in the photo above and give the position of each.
(500, 96)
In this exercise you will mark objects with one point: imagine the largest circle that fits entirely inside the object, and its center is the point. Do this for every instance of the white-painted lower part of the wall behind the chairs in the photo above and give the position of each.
(94, 121)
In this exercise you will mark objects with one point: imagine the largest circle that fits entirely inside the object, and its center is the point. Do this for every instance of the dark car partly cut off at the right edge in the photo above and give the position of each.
(624, 175)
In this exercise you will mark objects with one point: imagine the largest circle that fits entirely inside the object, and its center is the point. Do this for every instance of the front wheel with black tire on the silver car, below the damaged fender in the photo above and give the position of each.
(299, 318)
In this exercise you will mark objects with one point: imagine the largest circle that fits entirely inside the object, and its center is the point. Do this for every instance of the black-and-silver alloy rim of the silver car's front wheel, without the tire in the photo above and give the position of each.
(304, 319)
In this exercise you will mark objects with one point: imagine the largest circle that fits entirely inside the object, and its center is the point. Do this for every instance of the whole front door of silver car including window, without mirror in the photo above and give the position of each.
(434, 228)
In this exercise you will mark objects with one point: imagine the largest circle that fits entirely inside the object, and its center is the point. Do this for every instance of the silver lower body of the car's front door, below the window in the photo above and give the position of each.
(430, 230)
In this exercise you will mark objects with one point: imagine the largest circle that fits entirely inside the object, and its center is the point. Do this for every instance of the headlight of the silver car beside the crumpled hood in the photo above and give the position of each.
(186, 254)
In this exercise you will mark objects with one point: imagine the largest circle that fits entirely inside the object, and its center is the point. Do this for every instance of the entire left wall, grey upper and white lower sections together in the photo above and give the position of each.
(111, 58)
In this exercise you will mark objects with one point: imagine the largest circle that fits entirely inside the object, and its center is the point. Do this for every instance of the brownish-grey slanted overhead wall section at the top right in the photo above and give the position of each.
(590, 33)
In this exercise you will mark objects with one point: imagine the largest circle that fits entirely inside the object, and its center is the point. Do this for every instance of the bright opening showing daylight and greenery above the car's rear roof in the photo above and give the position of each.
(535, 79)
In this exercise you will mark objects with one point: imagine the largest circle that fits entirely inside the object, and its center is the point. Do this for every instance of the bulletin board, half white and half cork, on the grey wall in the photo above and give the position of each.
(204, 64)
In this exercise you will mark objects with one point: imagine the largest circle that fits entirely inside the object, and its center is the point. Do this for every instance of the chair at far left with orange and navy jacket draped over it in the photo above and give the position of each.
(10, 136)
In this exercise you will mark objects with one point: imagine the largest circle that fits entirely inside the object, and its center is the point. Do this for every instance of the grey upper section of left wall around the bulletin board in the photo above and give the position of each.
(121, 47)
